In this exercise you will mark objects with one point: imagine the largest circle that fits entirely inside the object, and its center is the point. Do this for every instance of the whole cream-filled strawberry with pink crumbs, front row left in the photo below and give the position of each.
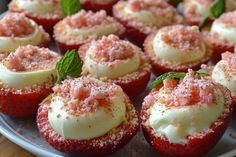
(85, 115)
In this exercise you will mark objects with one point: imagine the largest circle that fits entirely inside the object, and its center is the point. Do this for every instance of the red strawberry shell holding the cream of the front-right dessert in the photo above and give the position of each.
(196, 145)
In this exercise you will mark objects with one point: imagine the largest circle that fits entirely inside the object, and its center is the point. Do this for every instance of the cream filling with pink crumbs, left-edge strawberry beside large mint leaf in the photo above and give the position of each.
(25, 67)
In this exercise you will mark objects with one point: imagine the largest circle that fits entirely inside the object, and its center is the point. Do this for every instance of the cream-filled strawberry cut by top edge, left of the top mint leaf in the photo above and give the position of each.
(44, 12)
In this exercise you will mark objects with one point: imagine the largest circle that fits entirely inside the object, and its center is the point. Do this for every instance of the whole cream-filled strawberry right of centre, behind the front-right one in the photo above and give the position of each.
(176, 48)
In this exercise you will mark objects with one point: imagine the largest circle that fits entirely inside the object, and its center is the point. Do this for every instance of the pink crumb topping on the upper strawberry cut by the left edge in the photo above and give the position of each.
(15, 25)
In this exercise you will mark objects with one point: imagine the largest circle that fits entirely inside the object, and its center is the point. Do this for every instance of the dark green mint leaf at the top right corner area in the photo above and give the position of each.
(218, 8)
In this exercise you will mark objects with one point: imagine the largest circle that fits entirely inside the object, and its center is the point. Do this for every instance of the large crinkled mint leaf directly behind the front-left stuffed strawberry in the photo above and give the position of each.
(69, 65)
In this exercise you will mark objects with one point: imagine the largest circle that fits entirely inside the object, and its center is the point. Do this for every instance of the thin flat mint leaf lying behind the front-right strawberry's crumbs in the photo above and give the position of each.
(162, 77)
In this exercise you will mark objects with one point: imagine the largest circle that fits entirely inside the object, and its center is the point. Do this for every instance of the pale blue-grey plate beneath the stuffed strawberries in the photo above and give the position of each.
(24, 133)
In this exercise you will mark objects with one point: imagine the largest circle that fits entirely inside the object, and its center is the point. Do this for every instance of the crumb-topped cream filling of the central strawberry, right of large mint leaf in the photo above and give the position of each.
(115, 68)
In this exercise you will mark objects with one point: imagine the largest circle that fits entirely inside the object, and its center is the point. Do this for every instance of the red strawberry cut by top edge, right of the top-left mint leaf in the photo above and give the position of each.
(96, 5)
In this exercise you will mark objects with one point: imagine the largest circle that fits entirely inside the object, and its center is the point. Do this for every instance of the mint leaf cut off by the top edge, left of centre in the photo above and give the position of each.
(70, 7)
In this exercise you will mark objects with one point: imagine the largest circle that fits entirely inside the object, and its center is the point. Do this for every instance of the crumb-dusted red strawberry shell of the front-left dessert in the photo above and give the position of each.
(105, 144)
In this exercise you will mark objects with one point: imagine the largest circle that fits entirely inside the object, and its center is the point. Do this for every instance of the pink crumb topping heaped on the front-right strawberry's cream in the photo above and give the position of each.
(191, 90)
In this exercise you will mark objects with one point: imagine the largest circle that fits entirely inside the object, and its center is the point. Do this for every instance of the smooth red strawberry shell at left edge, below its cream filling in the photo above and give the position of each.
(21, 104)
